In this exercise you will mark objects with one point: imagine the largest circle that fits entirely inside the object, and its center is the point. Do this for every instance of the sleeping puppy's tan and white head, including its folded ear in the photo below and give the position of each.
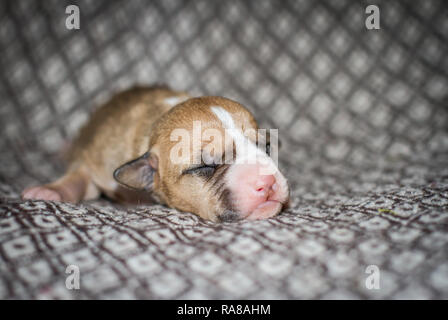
(207, 157)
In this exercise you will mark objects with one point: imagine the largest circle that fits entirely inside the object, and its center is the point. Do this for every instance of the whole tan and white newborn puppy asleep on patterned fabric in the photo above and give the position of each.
(191, 154)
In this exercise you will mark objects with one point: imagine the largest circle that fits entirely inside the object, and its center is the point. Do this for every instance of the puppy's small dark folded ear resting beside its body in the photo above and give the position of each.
(138, 173)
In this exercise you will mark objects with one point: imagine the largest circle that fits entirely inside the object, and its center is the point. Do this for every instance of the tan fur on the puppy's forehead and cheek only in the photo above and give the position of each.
(202, 201)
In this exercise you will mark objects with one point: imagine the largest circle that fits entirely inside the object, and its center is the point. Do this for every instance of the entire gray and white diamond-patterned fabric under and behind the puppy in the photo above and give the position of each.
(362, 117)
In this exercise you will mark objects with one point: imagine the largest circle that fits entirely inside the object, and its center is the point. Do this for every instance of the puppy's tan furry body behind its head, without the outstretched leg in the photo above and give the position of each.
(118, 132)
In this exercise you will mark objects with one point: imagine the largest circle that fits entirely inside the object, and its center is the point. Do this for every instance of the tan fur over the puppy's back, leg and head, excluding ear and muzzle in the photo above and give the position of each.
(138, 121)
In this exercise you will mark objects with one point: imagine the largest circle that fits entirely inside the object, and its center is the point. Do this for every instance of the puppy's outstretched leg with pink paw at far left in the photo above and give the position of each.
(74, 186)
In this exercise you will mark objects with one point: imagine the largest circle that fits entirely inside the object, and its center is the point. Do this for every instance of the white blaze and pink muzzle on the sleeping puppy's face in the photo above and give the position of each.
(256, 183)
